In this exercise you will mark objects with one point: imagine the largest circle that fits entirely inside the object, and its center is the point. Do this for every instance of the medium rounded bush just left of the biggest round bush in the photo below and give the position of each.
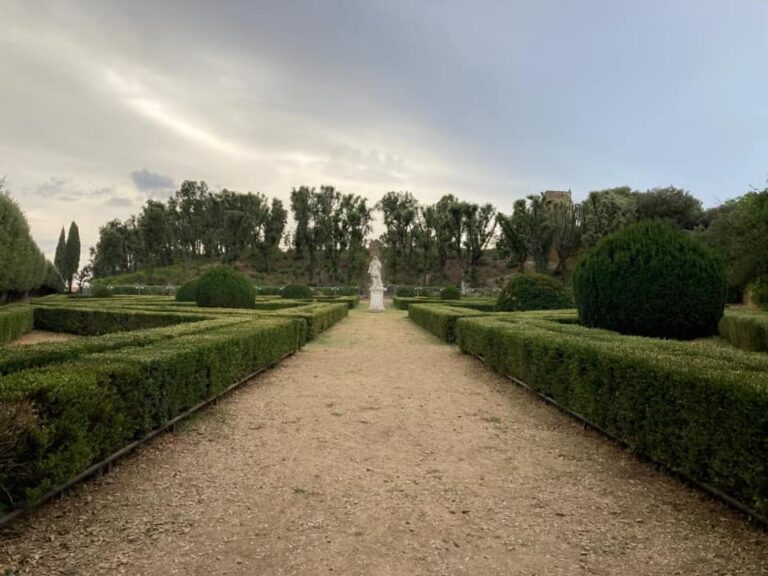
(533, 292)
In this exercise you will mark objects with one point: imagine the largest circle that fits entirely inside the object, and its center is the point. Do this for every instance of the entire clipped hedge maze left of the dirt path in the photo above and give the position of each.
(137, 363)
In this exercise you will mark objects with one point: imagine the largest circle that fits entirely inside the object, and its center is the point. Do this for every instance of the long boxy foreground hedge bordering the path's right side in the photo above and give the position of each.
(695, 407)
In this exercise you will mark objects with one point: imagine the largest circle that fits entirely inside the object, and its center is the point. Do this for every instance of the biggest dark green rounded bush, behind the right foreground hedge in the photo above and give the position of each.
(650, 279)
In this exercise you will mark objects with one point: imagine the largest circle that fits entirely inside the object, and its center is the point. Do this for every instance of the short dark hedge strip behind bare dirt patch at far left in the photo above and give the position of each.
(86, 321)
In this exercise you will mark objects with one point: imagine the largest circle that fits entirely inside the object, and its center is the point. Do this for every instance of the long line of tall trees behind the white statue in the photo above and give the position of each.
(447, 241)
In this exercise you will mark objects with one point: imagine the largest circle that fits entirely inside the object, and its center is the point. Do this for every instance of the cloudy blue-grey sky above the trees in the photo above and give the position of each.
(105, 104)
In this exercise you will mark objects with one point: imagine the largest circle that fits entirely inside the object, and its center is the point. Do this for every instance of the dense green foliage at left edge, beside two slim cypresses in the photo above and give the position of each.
(22, 264)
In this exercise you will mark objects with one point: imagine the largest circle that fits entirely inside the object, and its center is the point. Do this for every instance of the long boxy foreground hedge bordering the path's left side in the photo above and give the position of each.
(84, 410)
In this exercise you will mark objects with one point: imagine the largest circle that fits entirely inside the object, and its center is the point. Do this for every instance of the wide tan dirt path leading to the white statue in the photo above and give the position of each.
(379, 450)
